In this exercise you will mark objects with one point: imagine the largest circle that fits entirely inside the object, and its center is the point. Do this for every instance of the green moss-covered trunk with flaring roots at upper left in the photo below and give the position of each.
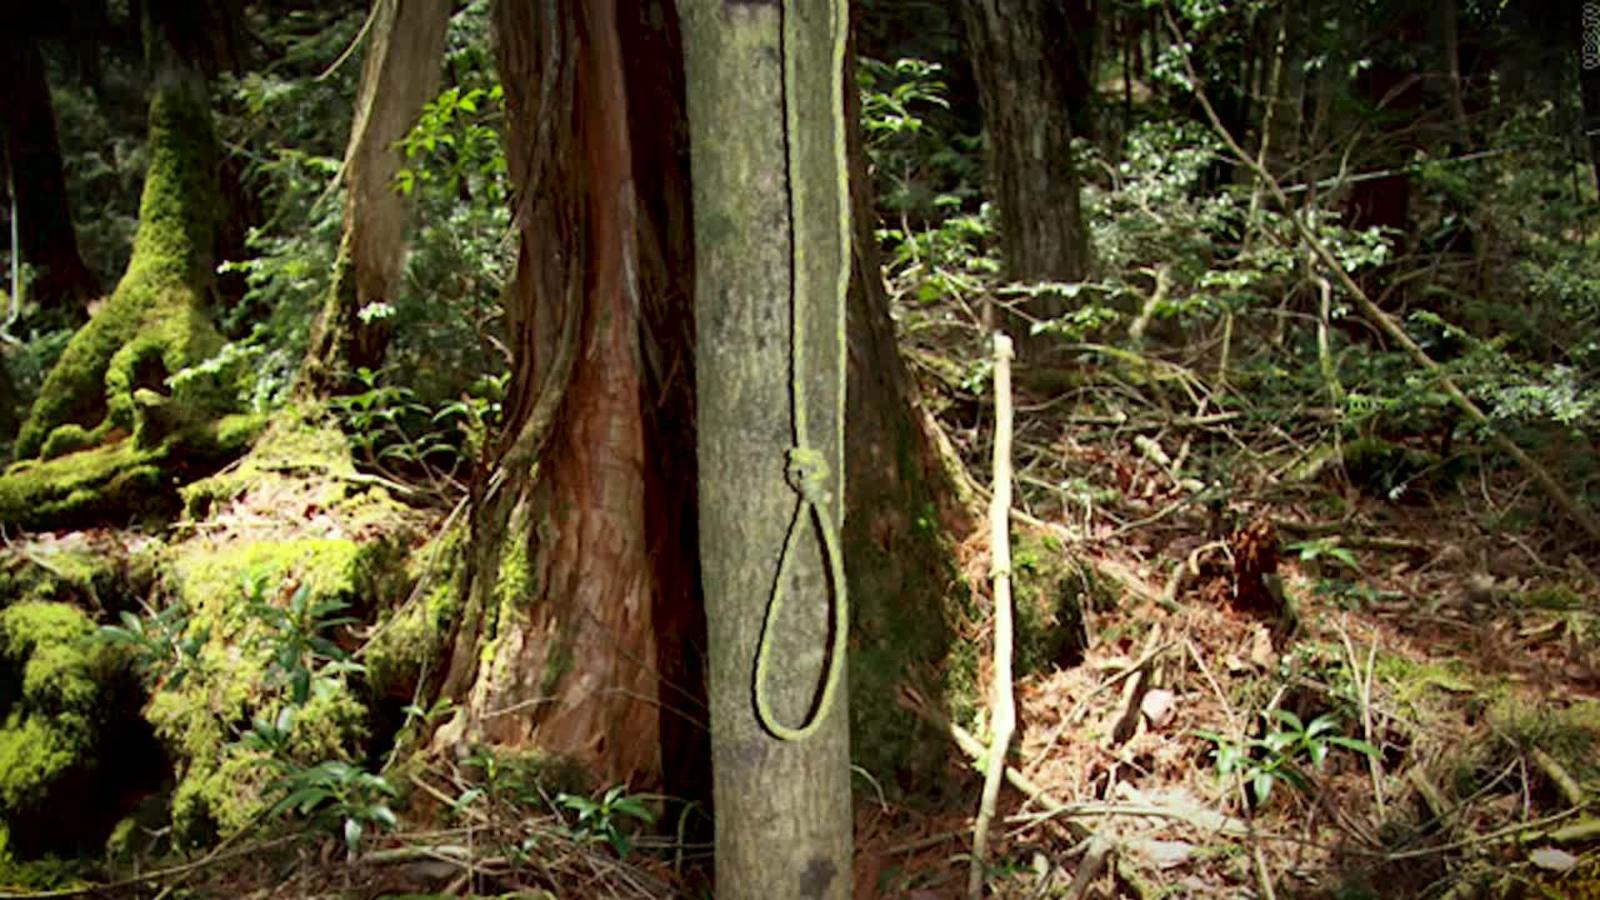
(154, 324)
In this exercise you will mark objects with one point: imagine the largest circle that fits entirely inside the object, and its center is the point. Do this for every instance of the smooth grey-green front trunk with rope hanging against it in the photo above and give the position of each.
(770, 251)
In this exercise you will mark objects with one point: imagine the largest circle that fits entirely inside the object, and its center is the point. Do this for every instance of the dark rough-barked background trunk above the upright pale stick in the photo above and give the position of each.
(1026, 78)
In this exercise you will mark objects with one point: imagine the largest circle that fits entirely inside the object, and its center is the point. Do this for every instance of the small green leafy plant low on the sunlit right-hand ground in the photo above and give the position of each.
(1282, 753)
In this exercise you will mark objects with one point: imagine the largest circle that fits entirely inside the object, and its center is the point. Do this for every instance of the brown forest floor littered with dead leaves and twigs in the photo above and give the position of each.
(1263, 699)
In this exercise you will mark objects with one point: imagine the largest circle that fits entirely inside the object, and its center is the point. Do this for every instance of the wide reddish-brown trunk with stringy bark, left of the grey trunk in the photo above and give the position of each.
(582, 590)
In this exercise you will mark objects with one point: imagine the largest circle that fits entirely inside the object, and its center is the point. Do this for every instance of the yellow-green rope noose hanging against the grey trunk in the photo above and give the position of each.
(807, 468)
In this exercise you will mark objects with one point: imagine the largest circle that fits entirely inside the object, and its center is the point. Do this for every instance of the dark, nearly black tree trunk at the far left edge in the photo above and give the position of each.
(50, 244)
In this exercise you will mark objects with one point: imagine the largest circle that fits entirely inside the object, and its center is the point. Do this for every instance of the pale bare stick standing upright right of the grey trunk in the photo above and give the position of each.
(1004, 718)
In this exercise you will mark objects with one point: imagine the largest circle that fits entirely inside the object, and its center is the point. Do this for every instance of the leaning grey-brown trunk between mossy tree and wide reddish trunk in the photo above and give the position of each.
(399, 78)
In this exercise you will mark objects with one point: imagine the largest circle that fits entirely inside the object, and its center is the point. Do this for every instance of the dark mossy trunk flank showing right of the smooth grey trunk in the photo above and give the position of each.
(902, 505)
